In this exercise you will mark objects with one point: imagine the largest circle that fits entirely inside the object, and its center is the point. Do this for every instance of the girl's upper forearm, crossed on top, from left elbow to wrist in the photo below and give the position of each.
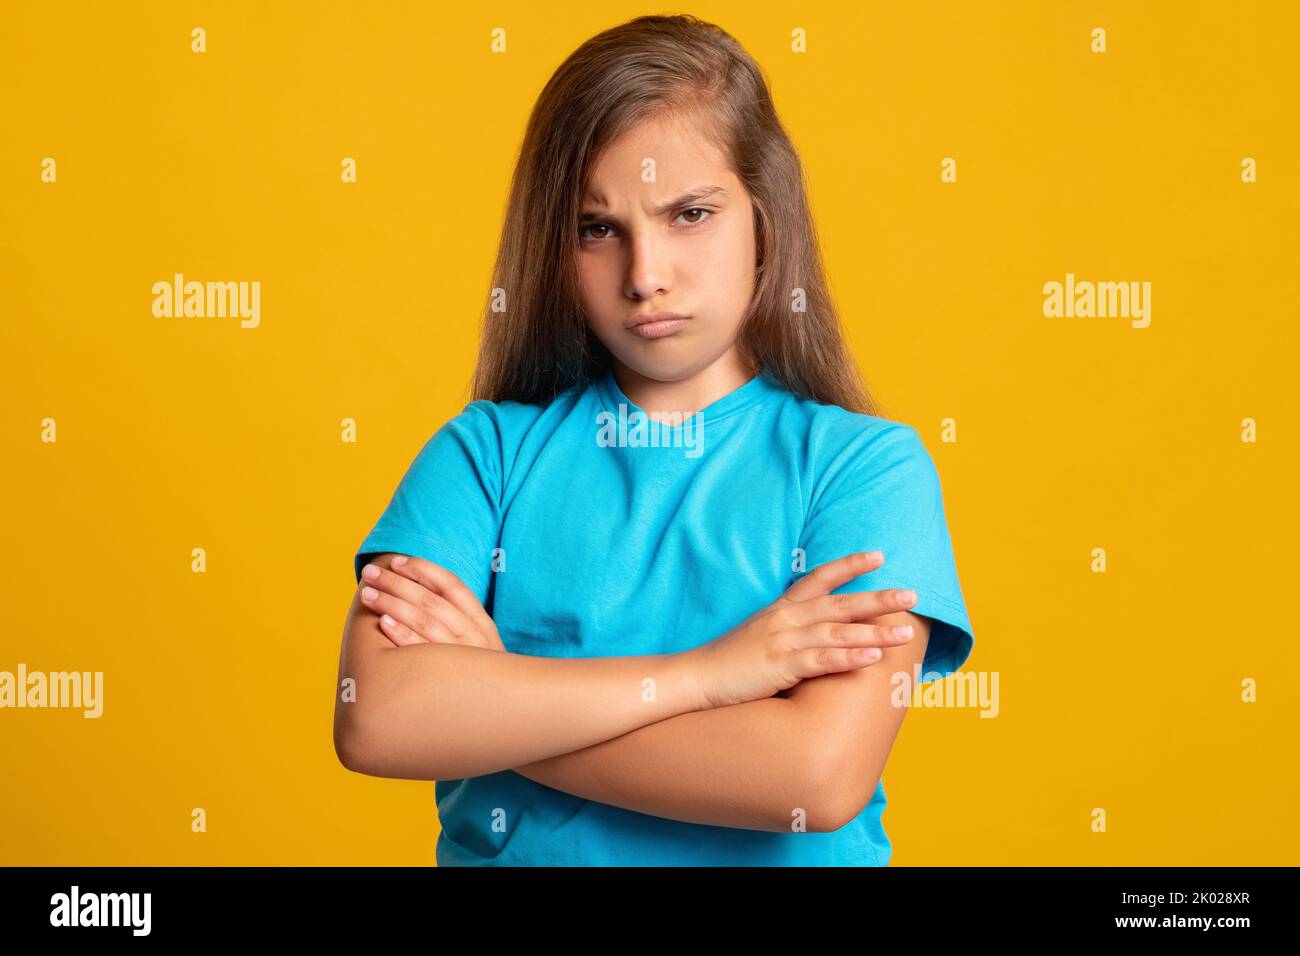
(448, 711)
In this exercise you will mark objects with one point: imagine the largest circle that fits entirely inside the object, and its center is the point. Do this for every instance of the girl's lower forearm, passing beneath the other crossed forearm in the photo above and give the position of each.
(747, 765)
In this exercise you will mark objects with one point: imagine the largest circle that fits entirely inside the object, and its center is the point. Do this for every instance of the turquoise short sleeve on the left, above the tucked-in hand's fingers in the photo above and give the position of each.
(448, 507)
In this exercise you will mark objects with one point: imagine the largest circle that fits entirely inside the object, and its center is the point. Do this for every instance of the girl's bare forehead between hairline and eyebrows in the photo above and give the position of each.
(678, 145)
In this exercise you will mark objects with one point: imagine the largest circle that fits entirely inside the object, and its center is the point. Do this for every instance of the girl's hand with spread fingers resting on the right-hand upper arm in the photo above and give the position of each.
(804, 634)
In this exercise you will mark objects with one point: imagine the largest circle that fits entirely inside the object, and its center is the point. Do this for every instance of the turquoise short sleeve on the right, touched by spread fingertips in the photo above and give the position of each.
(882, 494)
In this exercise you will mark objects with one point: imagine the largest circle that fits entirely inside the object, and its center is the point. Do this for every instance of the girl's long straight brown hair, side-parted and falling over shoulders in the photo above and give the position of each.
(536, 341)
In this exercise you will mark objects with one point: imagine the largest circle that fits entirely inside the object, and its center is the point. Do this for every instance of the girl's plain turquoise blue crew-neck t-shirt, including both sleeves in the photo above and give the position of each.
(590, 531)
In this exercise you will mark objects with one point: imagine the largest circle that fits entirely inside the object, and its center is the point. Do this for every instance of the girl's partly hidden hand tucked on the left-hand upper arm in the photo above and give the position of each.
(422, 603)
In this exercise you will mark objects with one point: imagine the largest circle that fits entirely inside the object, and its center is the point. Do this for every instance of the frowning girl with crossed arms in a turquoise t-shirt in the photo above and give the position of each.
(645, 602)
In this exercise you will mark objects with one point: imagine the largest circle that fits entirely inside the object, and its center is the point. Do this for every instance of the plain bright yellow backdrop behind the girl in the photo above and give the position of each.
(1119, 690)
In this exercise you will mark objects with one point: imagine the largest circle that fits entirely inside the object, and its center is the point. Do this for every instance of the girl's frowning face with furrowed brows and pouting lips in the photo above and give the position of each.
(675, 235)
